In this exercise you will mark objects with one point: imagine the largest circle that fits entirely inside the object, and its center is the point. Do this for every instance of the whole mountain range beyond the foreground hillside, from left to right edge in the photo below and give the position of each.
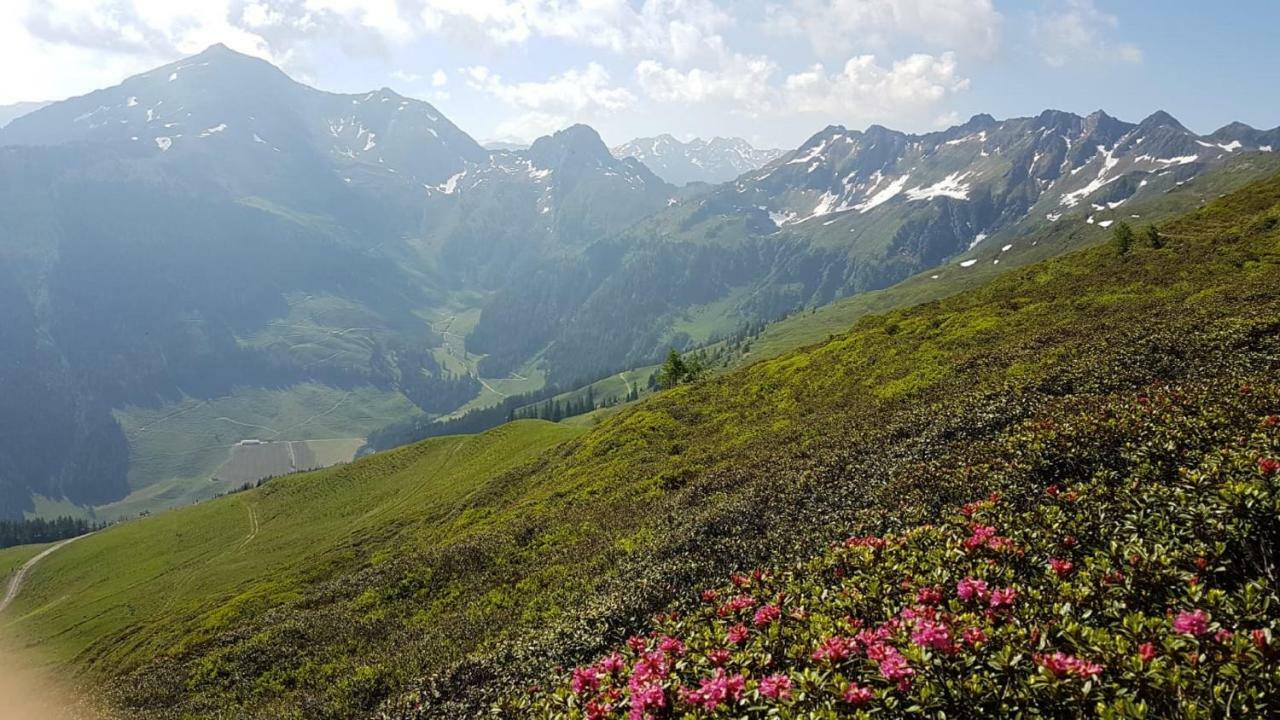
(212, 253)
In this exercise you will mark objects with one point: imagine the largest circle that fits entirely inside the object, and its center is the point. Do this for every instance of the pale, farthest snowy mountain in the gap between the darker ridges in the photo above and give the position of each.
(716, 161)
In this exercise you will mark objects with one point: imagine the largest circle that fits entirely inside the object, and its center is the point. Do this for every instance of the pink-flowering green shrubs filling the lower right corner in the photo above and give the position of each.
(1112, 596)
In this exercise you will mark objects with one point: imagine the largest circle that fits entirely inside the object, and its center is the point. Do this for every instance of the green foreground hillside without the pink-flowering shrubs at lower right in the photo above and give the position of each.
(364, 578)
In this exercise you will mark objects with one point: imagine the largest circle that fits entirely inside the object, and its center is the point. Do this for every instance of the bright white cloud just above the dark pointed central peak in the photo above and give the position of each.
(575, 95)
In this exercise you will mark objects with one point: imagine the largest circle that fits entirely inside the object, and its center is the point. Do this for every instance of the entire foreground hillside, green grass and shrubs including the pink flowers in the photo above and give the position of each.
(1112, 409)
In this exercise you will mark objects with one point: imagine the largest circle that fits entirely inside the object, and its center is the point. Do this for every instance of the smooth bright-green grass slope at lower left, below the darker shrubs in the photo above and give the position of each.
(152, 585)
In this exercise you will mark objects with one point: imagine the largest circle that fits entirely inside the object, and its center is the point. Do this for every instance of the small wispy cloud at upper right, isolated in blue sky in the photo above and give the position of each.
(1077, 31)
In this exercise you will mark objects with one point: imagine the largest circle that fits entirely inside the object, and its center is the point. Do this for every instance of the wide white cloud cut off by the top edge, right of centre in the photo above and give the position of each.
(840, 28)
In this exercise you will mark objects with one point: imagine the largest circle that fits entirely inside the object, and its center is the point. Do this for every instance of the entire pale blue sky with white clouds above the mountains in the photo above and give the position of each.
(771, 71)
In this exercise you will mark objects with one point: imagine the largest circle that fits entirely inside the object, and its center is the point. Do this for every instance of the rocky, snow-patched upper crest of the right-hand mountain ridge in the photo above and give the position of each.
(1000, 171)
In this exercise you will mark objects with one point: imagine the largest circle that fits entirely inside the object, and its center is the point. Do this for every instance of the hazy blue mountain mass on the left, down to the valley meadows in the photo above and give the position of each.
(212, 253)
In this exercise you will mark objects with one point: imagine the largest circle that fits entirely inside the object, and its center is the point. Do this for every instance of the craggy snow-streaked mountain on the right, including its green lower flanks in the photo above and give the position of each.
(852, 212)
